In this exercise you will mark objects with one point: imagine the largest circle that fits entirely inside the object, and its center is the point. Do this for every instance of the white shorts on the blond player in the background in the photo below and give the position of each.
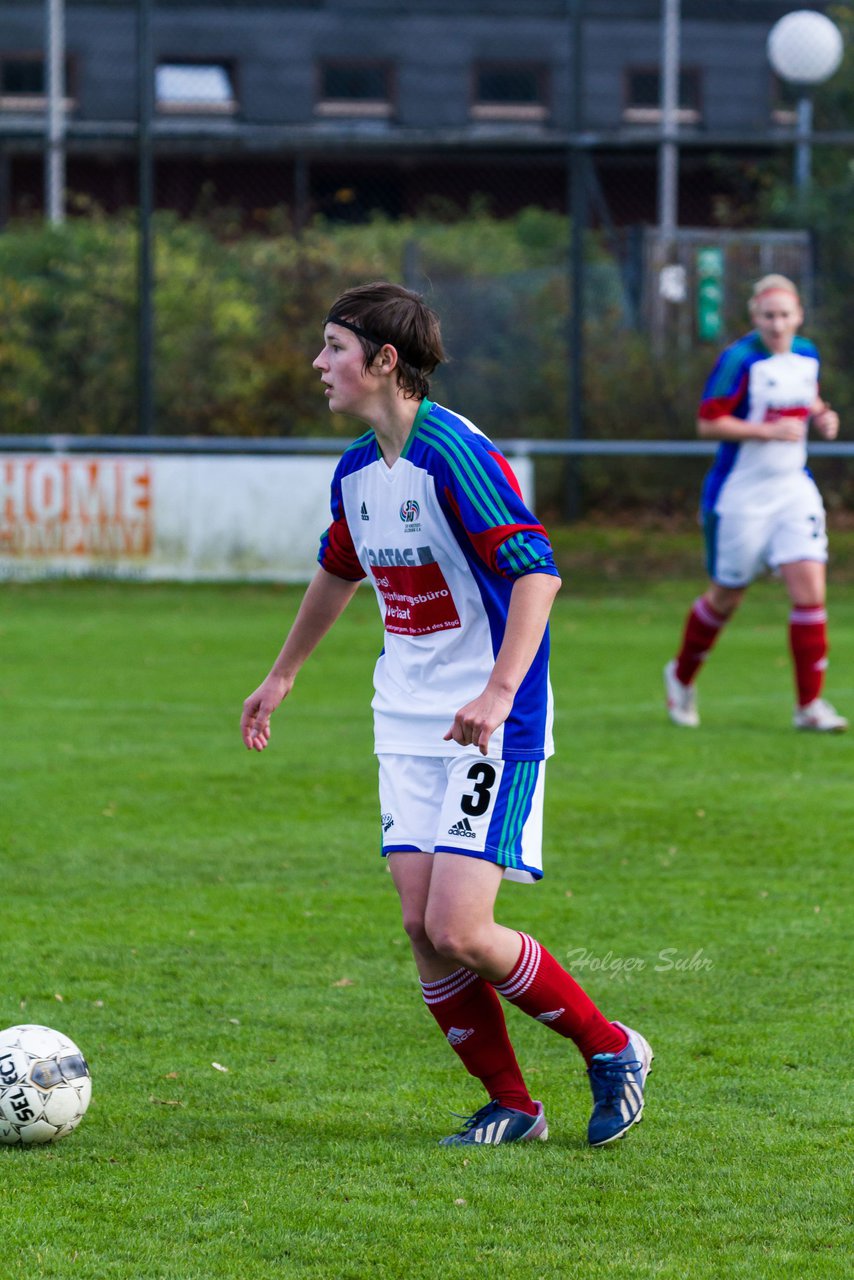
(741, 545)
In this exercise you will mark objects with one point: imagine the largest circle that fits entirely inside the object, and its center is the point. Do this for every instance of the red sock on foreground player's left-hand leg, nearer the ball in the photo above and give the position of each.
(469, 1013)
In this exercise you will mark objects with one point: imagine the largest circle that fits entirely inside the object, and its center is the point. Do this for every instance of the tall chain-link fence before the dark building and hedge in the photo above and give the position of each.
(508, 164)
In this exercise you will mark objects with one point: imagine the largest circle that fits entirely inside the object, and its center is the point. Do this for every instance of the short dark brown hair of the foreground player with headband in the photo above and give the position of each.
(385, 314)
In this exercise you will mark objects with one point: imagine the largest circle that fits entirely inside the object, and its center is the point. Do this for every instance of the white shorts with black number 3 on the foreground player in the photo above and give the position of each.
(465, 804)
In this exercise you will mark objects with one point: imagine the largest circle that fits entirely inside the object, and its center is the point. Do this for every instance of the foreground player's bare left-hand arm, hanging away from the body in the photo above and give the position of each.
(326, 600)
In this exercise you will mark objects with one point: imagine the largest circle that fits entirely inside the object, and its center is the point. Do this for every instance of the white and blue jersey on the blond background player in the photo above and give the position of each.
(752, 383)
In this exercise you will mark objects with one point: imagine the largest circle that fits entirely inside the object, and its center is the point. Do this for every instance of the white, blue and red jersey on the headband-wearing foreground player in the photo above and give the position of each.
(442, 536)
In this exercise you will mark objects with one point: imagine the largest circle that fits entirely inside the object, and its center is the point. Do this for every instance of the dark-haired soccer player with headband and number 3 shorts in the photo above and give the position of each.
(428, 510)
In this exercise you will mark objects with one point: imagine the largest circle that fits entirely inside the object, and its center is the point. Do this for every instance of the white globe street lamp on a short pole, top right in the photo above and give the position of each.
(805, 49)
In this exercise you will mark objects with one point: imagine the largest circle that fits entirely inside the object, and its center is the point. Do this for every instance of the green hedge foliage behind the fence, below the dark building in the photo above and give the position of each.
(239, 322)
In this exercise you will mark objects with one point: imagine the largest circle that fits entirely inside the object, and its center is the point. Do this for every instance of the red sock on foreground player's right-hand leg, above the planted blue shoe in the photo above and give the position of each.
(541, 988)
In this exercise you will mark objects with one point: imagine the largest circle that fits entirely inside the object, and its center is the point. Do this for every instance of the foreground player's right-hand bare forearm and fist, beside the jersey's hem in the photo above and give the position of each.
(531, 604)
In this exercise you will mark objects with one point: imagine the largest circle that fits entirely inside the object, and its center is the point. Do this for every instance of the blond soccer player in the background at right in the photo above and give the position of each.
(761, 506)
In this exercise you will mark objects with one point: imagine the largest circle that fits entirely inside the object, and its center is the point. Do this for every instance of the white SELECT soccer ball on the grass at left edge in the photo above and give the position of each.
(45, 1086)
